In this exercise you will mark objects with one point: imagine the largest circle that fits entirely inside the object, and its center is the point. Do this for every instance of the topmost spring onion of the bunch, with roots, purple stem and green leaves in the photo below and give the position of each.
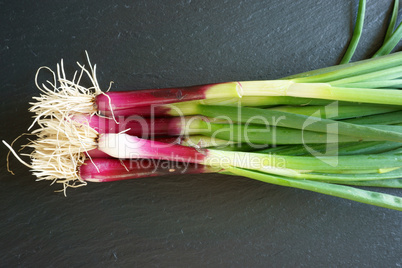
(330, 85)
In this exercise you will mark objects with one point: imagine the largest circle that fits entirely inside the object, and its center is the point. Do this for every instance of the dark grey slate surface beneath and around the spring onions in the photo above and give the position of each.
(181, 221)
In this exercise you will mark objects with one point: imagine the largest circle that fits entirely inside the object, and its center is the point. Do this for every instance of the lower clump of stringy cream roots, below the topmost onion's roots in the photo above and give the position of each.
(59, 150)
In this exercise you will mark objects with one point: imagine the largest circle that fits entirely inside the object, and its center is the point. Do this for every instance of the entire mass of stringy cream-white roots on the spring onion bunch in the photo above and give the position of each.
(61, 142)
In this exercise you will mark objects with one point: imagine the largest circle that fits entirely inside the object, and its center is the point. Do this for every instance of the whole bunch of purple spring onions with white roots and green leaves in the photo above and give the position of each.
(326, 130)
